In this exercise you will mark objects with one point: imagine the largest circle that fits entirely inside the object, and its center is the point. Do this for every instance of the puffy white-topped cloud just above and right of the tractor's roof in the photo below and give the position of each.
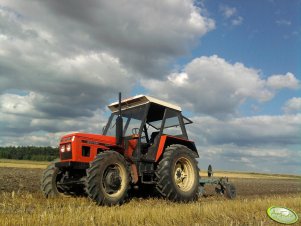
(211, 85)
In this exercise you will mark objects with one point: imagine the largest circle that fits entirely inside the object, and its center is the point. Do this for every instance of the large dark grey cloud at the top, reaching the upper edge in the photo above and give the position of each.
(145, 36)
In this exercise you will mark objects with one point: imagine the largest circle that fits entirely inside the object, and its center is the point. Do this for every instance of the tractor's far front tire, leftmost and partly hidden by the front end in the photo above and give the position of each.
(49, 180)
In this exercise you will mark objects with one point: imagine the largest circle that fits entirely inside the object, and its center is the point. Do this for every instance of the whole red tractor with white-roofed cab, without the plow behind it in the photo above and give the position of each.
(144, 145)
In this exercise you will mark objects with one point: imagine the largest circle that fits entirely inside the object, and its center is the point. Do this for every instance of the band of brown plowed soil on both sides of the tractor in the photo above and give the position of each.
(22, 179)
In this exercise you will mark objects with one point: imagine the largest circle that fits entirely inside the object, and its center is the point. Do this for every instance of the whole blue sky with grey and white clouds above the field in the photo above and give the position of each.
(233, 66)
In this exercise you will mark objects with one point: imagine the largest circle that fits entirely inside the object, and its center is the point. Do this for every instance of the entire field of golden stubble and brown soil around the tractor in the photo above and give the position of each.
(21, 202)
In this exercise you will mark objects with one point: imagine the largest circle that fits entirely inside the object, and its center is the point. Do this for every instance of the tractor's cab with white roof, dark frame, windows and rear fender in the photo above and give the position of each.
(149, 123)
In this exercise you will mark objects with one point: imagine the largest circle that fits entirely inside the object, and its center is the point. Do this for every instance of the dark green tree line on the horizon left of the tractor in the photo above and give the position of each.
(29, 153)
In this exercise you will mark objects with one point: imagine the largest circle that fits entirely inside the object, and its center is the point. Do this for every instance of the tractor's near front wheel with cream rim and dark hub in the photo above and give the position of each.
(108, 179)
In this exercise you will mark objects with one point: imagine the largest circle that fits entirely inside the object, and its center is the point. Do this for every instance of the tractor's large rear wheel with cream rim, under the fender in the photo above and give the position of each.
(178, 174)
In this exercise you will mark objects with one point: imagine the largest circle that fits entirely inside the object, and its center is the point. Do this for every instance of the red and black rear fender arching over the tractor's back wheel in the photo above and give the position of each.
(166, 141)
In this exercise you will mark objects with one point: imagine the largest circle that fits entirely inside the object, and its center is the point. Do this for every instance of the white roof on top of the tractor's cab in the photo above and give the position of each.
(141, 100)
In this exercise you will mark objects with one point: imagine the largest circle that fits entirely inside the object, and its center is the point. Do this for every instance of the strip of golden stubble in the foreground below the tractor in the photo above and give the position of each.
(34, 209)
